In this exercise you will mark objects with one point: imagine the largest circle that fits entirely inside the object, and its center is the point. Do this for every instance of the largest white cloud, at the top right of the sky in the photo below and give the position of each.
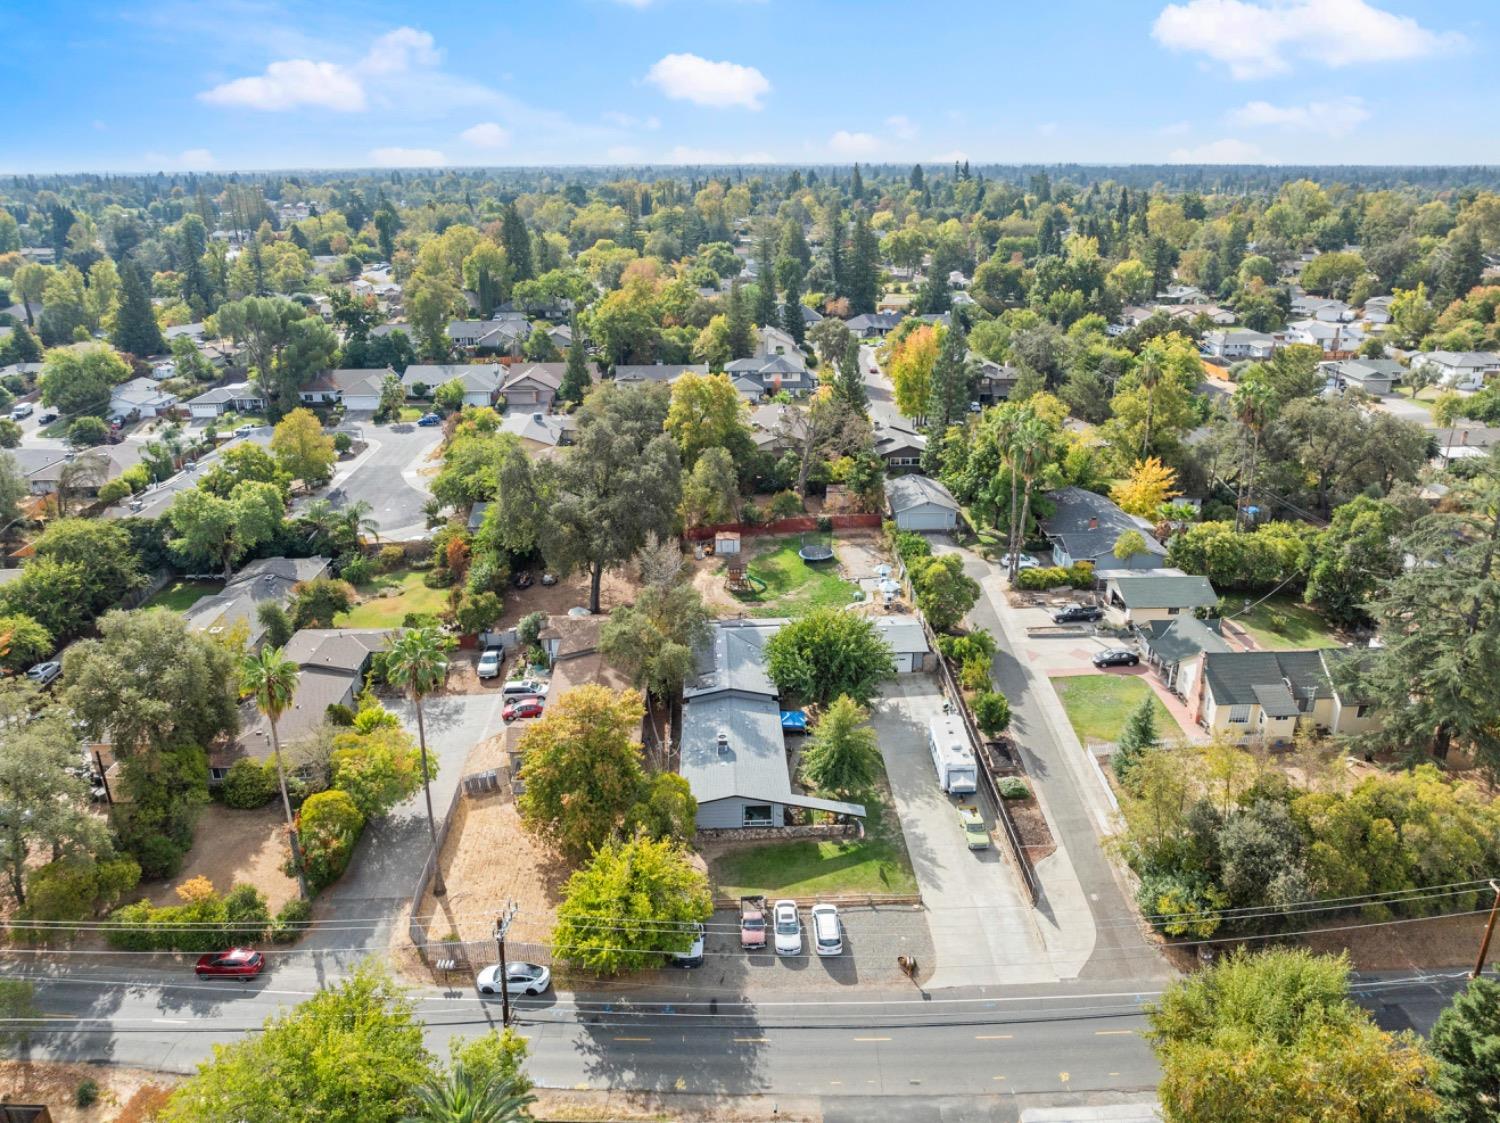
(1256, 40)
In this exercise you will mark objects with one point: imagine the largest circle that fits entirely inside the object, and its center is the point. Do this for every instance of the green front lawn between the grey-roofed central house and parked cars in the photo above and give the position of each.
(877, 864)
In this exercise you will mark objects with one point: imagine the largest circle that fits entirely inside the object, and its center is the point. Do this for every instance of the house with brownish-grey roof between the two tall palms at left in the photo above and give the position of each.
(332, 665)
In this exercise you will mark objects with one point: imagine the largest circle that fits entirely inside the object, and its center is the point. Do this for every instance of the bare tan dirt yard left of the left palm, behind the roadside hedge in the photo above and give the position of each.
(236, 846)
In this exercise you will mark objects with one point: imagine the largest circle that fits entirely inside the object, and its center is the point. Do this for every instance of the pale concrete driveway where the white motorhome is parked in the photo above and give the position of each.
(980, 920)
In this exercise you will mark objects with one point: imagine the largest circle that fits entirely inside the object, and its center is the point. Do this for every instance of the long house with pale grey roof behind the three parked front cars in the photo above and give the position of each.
(733, 749)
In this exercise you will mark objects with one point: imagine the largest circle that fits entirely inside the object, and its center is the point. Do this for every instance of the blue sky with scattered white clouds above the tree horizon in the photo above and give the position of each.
(286, 85)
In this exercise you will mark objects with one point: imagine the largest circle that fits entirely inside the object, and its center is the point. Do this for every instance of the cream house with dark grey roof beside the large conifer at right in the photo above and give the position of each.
(1270, 695)
